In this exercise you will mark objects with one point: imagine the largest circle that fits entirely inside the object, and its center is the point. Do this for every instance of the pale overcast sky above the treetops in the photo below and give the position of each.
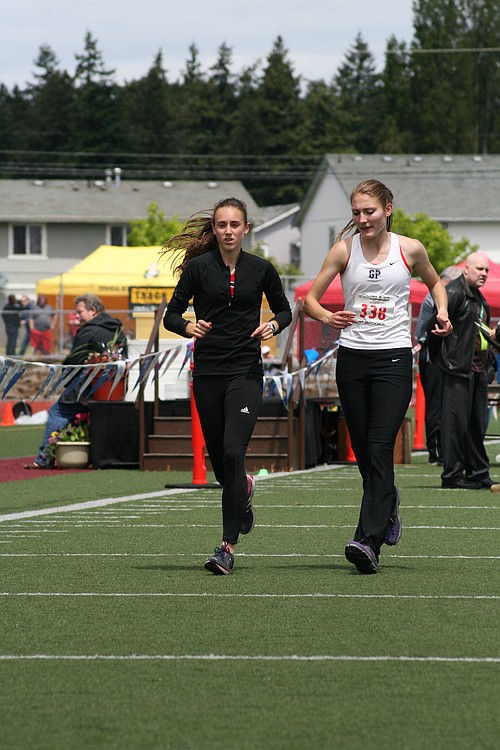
(317, 34)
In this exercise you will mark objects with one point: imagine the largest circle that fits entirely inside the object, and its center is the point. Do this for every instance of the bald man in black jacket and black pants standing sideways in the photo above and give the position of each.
(463, 358)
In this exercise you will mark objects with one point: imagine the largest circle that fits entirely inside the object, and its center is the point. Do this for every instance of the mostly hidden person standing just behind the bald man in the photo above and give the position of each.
(431, 376)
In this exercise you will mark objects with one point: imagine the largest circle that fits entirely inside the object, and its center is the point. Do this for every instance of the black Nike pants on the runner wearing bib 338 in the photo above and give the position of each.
(375, 390)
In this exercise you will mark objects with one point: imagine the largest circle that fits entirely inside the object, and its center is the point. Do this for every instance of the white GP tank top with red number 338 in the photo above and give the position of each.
(379, 296)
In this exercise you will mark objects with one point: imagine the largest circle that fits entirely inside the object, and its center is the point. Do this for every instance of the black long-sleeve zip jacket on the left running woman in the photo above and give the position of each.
(228, 347)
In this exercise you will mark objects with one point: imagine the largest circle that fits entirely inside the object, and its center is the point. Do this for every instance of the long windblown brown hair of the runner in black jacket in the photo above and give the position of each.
(197, 236)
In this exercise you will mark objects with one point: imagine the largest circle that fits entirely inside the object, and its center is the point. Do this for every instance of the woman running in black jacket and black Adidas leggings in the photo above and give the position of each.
(226, 285)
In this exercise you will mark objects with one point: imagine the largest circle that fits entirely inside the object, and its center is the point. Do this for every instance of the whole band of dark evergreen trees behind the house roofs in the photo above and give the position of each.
(264, 125)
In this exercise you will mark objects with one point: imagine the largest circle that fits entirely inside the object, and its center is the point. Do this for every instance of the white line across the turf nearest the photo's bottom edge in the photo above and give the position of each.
(251, 657)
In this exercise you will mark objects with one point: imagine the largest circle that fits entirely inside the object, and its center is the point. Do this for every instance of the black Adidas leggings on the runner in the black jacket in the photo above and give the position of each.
(228, 407)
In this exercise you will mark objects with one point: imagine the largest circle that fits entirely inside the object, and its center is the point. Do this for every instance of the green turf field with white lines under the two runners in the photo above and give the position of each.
(114, 636)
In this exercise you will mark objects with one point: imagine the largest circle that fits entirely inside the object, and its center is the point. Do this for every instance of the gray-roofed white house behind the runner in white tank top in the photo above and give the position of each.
(461, 192)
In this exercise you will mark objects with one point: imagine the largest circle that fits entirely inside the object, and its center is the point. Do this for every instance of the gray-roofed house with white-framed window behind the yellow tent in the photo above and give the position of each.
(47, 226)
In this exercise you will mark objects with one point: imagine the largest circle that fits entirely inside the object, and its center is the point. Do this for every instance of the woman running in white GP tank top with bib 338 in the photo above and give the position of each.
(374, 362)
